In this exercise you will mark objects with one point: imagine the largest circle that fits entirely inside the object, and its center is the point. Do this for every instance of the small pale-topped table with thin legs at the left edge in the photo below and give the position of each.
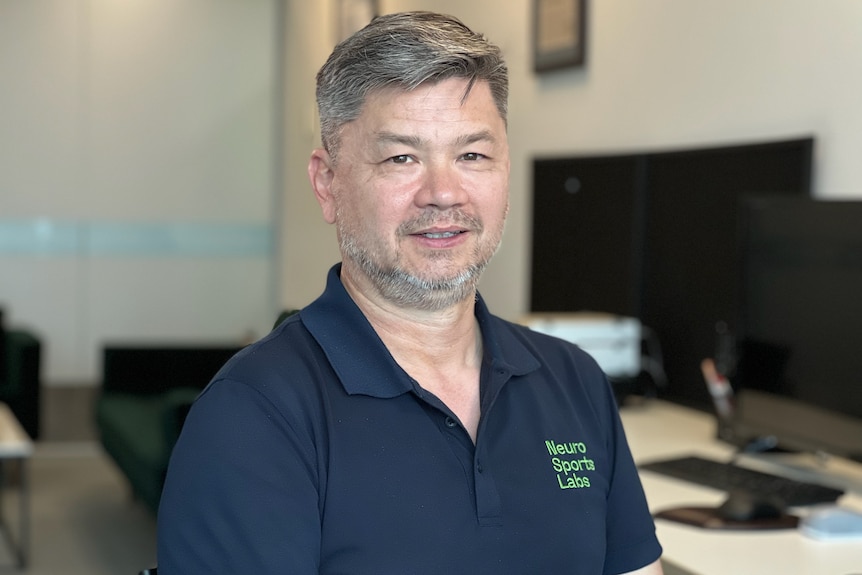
(16, 445)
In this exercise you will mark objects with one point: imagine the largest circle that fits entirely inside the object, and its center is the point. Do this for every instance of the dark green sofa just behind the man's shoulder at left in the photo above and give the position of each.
(145, 395)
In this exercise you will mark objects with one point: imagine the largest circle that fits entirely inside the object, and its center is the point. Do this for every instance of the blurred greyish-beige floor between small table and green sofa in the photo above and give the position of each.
(83, 519)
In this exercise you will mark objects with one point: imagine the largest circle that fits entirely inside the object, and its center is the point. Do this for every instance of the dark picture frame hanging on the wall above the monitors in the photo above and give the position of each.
(559, 34)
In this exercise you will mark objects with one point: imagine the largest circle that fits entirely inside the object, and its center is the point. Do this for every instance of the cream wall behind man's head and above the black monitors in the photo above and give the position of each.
(662, 74)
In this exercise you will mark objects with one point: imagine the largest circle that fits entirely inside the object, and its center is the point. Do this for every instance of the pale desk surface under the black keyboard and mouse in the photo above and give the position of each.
(657, 429)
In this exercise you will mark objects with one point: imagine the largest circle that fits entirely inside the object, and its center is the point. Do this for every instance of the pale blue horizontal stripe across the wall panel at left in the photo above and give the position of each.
(44, 237)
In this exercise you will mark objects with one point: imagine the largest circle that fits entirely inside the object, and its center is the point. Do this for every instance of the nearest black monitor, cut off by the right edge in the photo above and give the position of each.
(798, 376)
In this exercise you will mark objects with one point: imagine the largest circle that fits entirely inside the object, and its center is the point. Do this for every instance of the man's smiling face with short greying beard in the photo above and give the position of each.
(419, 192)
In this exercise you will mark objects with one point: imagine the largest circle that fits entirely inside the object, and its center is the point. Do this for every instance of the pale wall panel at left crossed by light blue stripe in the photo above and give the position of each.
(137, 173)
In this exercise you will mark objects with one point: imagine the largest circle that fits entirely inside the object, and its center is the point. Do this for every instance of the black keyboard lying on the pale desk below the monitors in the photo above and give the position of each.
(729, 477)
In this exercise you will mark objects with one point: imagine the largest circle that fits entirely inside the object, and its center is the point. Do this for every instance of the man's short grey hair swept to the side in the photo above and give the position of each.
(404, 50)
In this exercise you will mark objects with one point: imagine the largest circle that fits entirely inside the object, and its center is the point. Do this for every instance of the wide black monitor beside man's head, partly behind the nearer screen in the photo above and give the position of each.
(651, 234)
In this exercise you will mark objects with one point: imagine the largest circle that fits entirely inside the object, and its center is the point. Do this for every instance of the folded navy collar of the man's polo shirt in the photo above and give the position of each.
(364, 364)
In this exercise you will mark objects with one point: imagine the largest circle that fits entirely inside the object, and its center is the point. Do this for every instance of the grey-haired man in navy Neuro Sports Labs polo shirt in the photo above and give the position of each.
(394, 425)
